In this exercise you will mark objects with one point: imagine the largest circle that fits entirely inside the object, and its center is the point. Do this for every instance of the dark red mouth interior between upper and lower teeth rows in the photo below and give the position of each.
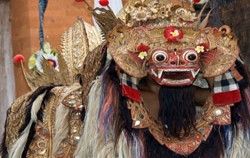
(176, 75)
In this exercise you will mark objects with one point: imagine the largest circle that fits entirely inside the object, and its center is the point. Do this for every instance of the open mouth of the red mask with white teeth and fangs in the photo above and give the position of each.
(174, 77)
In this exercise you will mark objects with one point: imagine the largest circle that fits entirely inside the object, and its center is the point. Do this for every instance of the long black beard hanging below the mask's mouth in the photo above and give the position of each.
(177, 110)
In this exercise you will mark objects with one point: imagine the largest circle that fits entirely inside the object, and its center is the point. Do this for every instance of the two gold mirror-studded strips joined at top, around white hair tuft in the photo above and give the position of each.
(42, 143)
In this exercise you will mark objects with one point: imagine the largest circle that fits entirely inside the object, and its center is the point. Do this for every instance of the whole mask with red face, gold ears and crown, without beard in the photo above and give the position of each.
(167, 41)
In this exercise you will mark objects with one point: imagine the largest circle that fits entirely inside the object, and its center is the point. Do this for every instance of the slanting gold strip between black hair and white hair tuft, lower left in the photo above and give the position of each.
(41, 145)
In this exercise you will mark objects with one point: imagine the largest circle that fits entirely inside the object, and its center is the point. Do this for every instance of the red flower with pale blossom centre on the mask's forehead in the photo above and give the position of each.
(169, 34)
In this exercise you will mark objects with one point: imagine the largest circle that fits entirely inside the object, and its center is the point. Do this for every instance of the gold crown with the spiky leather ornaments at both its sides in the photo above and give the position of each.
(155, 13)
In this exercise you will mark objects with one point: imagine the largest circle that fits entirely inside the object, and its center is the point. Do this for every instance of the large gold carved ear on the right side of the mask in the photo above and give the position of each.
(226, 52)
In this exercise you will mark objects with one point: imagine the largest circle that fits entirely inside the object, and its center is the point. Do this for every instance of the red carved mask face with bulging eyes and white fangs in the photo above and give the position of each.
(174, 67)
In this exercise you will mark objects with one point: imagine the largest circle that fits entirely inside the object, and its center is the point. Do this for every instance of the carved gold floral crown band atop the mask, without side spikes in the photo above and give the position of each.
(160, 13)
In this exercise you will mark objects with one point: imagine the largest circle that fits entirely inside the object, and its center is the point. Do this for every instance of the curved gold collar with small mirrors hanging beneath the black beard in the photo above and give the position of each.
(205, 118)
